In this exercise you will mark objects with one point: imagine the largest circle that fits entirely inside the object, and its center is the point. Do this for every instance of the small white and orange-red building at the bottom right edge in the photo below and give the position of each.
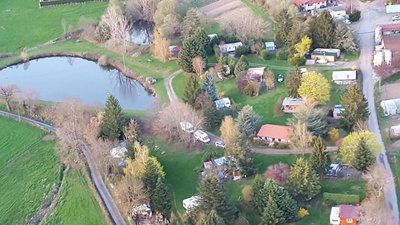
(344, 215)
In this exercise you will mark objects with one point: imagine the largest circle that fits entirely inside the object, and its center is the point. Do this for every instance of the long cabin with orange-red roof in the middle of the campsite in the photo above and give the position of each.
(274, 133)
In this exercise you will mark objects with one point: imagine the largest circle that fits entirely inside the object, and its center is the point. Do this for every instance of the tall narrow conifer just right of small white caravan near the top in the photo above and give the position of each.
(284, 24)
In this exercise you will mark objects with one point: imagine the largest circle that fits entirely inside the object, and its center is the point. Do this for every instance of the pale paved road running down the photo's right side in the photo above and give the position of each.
(372, 15)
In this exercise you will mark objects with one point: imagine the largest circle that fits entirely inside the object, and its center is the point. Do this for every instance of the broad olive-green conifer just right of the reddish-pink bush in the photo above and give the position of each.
(303, 181)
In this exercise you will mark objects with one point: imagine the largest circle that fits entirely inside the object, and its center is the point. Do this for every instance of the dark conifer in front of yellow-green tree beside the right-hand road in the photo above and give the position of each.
(364, 157)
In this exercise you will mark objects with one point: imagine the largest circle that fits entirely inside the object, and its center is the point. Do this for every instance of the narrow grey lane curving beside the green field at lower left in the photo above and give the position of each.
(94, 172)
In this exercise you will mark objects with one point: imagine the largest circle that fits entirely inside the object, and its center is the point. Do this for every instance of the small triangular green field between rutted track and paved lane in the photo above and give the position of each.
(77, 203)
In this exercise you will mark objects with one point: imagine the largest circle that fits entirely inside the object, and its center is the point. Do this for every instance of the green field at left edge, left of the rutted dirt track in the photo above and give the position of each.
(28, 170)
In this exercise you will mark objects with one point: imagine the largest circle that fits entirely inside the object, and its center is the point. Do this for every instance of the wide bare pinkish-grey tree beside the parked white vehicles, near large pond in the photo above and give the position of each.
(169, 119)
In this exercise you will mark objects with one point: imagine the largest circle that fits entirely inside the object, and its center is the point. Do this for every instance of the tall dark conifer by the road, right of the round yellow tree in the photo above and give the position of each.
(355, 105)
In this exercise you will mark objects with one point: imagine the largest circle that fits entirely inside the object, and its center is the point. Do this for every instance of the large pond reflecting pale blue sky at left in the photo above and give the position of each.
(56, 79)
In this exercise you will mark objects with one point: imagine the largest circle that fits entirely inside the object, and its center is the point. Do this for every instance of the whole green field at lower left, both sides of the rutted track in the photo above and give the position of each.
(29, 169)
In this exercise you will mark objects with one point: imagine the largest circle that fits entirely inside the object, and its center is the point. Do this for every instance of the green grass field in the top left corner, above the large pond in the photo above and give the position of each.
(24, 24)
